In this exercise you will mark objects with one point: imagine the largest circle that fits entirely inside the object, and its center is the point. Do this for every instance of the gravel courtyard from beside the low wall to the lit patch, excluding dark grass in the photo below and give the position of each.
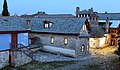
(100, 59)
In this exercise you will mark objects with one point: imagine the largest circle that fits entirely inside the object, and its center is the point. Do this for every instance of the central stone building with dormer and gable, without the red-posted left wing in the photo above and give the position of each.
(66, 32)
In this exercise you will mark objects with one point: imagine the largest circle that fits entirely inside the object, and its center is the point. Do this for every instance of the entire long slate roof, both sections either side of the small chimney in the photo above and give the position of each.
(62, 25)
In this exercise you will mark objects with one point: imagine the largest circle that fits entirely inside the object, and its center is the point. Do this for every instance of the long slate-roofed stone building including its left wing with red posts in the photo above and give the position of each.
(65, 33)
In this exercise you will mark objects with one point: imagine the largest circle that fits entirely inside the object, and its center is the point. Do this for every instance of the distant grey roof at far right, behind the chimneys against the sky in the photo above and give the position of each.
(111, 16)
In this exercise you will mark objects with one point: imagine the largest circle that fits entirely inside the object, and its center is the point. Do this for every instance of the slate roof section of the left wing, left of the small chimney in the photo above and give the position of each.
(11, 24)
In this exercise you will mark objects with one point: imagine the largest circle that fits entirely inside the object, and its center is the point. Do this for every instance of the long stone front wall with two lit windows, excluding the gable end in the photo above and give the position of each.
(58, 40)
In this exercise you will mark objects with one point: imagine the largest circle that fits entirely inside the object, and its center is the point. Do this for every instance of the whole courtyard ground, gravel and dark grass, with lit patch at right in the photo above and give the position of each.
(99, 59)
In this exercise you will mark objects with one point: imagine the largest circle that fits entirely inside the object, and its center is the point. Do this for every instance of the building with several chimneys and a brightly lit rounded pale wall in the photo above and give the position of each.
(99, 34)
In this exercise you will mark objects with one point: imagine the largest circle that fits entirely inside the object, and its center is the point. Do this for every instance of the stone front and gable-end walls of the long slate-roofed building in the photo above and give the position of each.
(74, 42)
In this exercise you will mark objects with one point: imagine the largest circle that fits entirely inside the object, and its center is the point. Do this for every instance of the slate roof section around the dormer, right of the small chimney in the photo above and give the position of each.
(60, 25)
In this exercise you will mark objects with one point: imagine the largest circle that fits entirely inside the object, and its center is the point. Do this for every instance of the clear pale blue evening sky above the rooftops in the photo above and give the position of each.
(60, 6)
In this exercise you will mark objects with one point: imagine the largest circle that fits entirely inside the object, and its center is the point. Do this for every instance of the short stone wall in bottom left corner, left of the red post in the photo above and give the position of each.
(4, 59)
